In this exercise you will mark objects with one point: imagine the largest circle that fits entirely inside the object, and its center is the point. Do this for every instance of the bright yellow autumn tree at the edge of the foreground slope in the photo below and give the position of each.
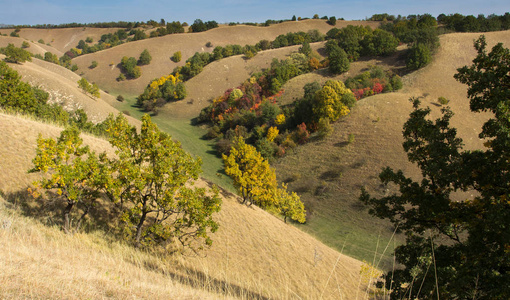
(252, 175)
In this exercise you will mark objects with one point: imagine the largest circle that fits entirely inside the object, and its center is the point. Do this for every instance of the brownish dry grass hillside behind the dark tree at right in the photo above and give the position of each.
(376, 125)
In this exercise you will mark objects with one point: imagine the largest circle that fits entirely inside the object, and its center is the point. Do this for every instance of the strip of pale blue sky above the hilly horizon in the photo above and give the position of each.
(32, 12)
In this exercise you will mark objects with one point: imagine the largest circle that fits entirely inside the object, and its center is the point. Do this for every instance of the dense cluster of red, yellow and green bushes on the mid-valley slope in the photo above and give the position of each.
(251, 112)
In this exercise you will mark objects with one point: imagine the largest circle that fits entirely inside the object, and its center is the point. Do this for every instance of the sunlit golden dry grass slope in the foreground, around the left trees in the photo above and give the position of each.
(254, 255)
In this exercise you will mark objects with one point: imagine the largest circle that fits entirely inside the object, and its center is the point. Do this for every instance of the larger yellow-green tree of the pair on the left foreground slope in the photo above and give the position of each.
(155, 185)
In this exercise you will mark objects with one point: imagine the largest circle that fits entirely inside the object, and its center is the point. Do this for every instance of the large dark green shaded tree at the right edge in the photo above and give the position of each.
(455, 249)
